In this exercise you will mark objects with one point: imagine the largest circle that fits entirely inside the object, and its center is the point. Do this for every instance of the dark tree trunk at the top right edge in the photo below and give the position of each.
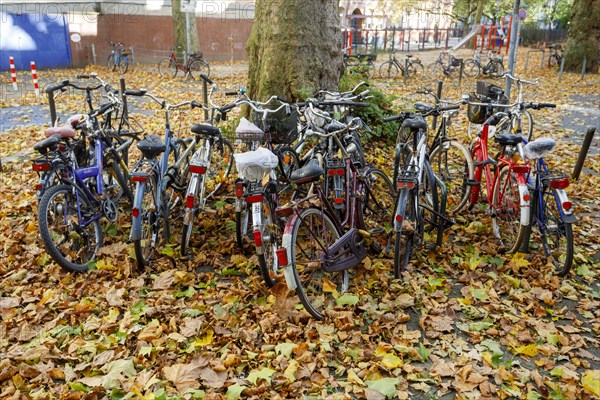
(584, 36)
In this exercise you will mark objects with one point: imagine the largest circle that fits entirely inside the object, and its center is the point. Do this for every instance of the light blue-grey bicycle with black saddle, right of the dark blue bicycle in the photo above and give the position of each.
(160, 183)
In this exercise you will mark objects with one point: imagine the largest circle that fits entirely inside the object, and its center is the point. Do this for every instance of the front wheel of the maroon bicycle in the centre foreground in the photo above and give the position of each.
(378, 198)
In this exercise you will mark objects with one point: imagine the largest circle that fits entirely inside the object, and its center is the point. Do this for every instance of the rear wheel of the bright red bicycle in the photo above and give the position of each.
(506, 215)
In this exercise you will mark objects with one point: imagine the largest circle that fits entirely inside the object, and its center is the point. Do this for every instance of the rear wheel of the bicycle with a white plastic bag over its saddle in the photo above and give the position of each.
(270, 243)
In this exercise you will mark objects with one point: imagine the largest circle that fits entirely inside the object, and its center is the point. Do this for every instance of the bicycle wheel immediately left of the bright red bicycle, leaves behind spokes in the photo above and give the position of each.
(452, 163)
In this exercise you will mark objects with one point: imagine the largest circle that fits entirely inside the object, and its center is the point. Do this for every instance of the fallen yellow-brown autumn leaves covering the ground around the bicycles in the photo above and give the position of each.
(463, 322)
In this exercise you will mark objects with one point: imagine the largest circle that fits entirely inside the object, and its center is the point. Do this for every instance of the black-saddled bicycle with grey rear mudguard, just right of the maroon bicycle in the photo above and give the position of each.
(421, 201)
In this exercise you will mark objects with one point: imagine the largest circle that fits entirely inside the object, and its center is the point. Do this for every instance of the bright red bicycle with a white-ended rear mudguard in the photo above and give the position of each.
(506, 181)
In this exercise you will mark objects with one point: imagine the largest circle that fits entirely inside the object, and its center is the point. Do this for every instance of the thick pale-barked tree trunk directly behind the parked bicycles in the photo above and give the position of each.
(294, 48)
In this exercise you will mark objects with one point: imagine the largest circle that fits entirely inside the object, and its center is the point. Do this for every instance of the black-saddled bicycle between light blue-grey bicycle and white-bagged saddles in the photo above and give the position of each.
(207, 168)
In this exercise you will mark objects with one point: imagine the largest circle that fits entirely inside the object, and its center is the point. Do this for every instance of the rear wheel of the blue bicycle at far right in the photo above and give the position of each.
(556, 234)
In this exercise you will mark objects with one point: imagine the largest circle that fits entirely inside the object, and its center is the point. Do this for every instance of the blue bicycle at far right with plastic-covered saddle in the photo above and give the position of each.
(552, 211)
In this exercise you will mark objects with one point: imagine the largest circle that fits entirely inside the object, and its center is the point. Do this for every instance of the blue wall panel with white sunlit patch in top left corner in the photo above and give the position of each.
(43, 38)
